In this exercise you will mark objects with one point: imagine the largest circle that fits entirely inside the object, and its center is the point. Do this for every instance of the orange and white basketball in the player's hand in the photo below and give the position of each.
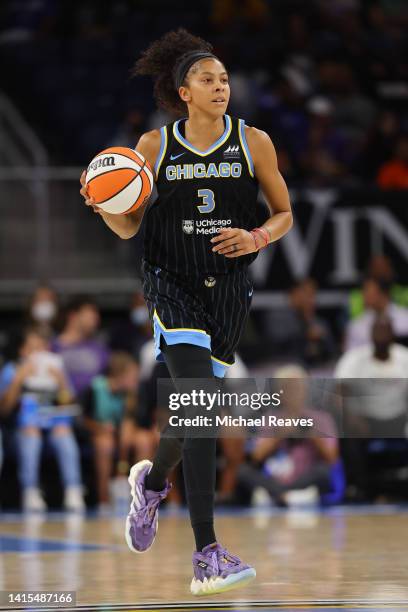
(119, 179)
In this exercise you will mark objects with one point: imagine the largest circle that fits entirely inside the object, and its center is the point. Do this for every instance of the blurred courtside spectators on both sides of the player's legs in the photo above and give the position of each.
(80, 398)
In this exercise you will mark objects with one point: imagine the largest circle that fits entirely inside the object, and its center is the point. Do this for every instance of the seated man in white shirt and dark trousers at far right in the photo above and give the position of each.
(371, 406)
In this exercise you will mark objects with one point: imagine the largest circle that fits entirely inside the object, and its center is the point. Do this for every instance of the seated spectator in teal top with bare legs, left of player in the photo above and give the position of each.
(109, 407)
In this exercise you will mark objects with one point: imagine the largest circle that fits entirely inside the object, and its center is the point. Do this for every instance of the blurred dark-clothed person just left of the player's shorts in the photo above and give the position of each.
(132, 333)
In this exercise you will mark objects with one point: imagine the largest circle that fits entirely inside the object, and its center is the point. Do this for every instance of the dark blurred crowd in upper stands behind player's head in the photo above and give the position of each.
(326, 80)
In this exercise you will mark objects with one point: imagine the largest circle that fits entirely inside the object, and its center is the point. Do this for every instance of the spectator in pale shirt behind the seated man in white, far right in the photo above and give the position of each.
(377, 301)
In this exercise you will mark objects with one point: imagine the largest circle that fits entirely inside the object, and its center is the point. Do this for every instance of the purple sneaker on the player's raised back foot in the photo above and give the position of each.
(142, 520)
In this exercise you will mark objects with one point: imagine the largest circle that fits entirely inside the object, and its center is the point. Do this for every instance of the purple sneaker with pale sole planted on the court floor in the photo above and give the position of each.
(216, 571)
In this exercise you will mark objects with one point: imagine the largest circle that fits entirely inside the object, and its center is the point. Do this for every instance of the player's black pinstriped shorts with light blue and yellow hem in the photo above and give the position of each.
(208, 311)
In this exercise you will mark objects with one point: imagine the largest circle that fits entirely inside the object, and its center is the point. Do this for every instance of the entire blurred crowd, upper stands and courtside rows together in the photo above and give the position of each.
(78, 394)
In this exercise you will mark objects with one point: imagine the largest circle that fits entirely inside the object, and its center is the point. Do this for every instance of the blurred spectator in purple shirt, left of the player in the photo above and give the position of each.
(83, 353)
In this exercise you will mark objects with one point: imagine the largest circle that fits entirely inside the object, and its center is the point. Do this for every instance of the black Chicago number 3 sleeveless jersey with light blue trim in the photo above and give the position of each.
(198, 193)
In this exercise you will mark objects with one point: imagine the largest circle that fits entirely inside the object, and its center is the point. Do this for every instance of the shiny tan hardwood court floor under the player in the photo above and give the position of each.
(341, 559)
